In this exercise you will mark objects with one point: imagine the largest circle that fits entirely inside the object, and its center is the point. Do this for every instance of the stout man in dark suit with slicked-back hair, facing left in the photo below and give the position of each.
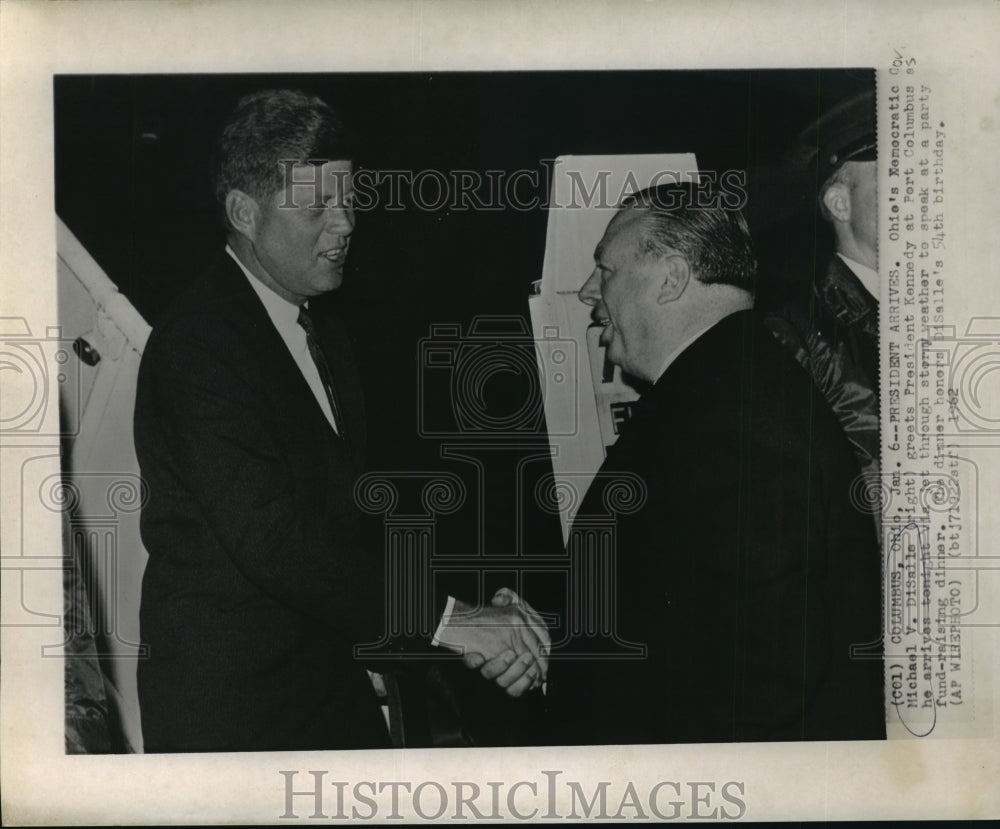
(747, 574)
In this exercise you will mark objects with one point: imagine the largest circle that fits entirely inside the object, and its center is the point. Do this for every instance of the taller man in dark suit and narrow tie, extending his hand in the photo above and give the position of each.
(250, 434)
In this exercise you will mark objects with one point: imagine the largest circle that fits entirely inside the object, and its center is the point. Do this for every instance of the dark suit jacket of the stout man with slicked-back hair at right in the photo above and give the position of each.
(747, 574)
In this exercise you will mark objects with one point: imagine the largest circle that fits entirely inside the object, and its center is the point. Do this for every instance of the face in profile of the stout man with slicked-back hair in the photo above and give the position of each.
(623, 290)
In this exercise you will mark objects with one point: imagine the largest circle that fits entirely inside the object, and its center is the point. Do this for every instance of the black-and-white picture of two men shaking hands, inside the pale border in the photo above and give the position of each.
(719, 534)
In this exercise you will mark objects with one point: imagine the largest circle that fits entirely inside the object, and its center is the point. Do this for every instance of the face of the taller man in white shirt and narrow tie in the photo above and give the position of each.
(301, 237)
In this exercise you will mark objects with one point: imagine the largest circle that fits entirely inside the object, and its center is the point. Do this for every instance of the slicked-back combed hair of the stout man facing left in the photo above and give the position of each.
(715, 239)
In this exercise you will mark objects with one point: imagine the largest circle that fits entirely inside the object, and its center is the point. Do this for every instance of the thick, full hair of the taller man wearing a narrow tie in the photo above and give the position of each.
(269, 127)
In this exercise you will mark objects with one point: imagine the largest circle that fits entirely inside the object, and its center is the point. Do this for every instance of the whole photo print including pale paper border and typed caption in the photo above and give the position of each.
(397, 420)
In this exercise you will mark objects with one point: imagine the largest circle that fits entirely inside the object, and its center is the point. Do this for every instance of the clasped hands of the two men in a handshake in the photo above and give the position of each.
(506, 640)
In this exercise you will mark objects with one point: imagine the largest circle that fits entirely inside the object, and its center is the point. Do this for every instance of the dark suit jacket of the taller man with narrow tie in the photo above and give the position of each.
(257, 587)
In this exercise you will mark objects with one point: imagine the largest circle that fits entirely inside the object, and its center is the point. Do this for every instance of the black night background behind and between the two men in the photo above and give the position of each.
(132, 156)
